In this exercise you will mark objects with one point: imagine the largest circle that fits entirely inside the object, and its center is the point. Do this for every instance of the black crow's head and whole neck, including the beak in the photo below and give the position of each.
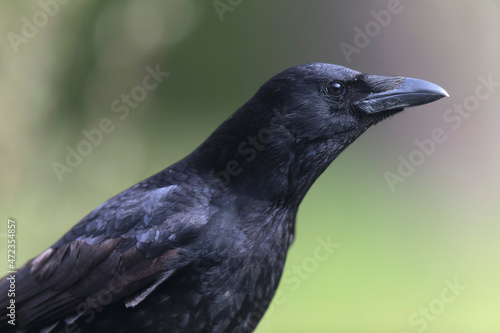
(278, 143)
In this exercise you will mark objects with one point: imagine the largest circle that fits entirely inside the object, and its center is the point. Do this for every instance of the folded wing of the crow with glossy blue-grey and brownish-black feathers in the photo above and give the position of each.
(121, 251)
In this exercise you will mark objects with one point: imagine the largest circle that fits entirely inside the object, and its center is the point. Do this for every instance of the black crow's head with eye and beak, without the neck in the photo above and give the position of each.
(322, 101)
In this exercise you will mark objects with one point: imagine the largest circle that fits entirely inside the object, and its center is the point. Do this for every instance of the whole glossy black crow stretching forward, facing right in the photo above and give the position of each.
(200, 246)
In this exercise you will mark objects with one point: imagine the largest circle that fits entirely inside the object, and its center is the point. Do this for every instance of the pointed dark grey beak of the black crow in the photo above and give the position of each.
(410, 92)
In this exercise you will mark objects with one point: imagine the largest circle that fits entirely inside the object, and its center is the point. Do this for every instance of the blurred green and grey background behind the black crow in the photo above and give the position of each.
(397, 248)
